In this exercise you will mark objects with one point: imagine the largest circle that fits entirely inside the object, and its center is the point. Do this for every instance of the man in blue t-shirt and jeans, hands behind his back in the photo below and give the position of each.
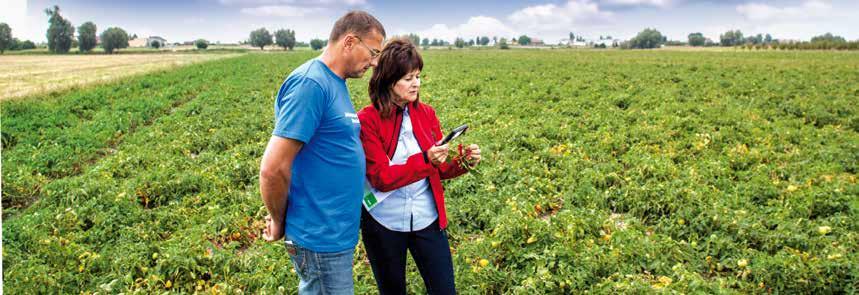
(315, 159)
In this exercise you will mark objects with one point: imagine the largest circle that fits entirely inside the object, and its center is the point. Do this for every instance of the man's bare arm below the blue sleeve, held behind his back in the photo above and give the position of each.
(274, 178)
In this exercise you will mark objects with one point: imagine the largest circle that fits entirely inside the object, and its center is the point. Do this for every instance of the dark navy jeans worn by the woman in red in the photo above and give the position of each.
(386, 250)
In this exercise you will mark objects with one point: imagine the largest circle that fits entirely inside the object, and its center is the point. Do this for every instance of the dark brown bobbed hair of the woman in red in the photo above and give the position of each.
(398, 58)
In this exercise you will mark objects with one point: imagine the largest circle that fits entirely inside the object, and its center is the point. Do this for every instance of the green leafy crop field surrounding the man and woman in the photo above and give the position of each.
(604, 171)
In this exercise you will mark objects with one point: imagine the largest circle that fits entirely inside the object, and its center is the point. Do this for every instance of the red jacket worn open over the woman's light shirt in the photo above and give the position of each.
(380, 136)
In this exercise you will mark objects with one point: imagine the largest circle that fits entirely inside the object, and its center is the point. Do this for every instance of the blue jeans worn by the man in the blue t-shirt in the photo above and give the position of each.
(322, 273)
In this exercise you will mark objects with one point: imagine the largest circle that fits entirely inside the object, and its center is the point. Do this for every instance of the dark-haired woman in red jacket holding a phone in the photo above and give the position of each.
(404, 209)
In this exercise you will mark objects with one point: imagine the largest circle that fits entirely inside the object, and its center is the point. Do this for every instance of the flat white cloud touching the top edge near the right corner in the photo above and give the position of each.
(767, 13)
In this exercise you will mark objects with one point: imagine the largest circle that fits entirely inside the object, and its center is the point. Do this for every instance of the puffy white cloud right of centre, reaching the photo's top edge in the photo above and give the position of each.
(551, 17)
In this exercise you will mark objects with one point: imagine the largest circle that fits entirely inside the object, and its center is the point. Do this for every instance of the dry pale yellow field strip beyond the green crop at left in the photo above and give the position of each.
(30, 74)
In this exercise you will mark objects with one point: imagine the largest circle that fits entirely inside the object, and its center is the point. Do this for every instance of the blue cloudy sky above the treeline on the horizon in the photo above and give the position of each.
(231, 21)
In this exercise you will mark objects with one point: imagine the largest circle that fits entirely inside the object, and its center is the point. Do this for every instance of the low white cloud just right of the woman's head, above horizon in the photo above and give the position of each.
(475, 26)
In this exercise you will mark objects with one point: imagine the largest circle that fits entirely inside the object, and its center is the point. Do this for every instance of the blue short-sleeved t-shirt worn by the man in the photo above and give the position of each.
(324, 202)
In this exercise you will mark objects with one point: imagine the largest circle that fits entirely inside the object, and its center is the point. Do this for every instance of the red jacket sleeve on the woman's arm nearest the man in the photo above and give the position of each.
(380, 173)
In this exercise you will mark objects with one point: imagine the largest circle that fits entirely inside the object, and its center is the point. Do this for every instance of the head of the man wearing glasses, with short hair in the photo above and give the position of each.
(357, 39)
